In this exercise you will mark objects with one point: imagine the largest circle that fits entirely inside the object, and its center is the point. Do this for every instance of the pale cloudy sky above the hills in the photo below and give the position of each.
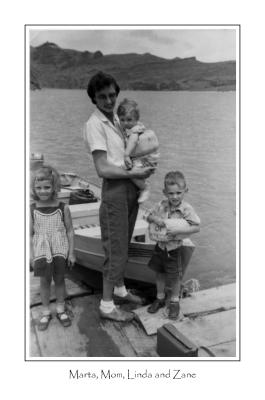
(206, 44)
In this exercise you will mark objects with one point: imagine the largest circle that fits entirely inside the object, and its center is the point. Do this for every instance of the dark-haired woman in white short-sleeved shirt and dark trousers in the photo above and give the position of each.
(119, 205)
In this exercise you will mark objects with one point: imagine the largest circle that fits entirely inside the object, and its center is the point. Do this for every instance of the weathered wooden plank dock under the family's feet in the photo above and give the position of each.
(209, 318)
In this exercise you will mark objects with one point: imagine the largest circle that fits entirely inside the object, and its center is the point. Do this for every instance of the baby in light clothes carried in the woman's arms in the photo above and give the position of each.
(141, 144)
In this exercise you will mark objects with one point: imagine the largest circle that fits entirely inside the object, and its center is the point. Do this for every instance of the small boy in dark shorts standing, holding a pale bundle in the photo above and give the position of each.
(170, 221)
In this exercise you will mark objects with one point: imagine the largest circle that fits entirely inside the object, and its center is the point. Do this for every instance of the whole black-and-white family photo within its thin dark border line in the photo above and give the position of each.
(132, 193)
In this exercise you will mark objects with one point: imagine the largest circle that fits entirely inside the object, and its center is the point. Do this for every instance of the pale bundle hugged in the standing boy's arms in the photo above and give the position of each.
(160, 234)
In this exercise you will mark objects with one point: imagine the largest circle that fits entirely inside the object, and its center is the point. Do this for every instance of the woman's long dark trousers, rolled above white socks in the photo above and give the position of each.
(117, 215)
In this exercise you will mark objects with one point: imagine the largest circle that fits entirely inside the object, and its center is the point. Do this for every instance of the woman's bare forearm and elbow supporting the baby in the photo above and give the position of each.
(110, 171)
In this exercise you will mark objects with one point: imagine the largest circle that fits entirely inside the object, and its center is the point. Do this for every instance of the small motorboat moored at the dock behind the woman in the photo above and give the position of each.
(88, 247)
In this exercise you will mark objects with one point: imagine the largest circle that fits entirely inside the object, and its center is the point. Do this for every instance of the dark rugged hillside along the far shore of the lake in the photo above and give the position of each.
(54, 67)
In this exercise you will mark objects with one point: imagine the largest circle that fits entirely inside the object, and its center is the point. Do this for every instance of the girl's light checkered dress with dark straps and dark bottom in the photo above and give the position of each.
(50, 242)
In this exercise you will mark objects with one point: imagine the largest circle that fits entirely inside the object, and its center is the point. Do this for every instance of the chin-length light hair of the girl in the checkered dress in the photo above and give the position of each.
(46, 173)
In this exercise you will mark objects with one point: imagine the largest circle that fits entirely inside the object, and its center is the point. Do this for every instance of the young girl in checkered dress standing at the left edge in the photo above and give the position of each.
(52, 241)
